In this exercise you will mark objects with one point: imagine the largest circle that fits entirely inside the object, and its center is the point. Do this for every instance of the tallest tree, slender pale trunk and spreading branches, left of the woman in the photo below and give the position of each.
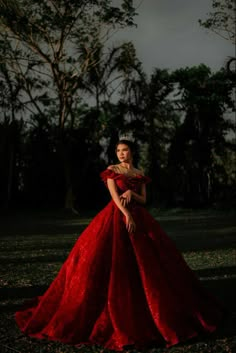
(63, 36)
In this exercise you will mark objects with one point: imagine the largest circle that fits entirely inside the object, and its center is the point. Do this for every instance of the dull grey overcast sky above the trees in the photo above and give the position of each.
(169, 35)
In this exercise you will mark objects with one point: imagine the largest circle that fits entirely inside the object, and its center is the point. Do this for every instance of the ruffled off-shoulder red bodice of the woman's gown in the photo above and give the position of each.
(125, 182)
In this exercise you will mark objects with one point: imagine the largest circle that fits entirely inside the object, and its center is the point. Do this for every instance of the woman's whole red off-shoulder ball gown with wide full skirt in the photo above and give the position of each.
(117, 289)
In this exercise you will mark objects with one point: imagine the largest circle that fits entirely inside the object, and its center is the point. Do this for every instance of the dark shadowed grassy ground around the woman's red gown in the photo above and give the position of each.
(33, 247)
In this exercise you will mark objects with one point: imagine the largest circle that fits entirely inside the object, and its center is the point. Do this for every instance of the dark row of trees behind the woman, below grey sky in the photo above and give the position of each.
(67, 92)
